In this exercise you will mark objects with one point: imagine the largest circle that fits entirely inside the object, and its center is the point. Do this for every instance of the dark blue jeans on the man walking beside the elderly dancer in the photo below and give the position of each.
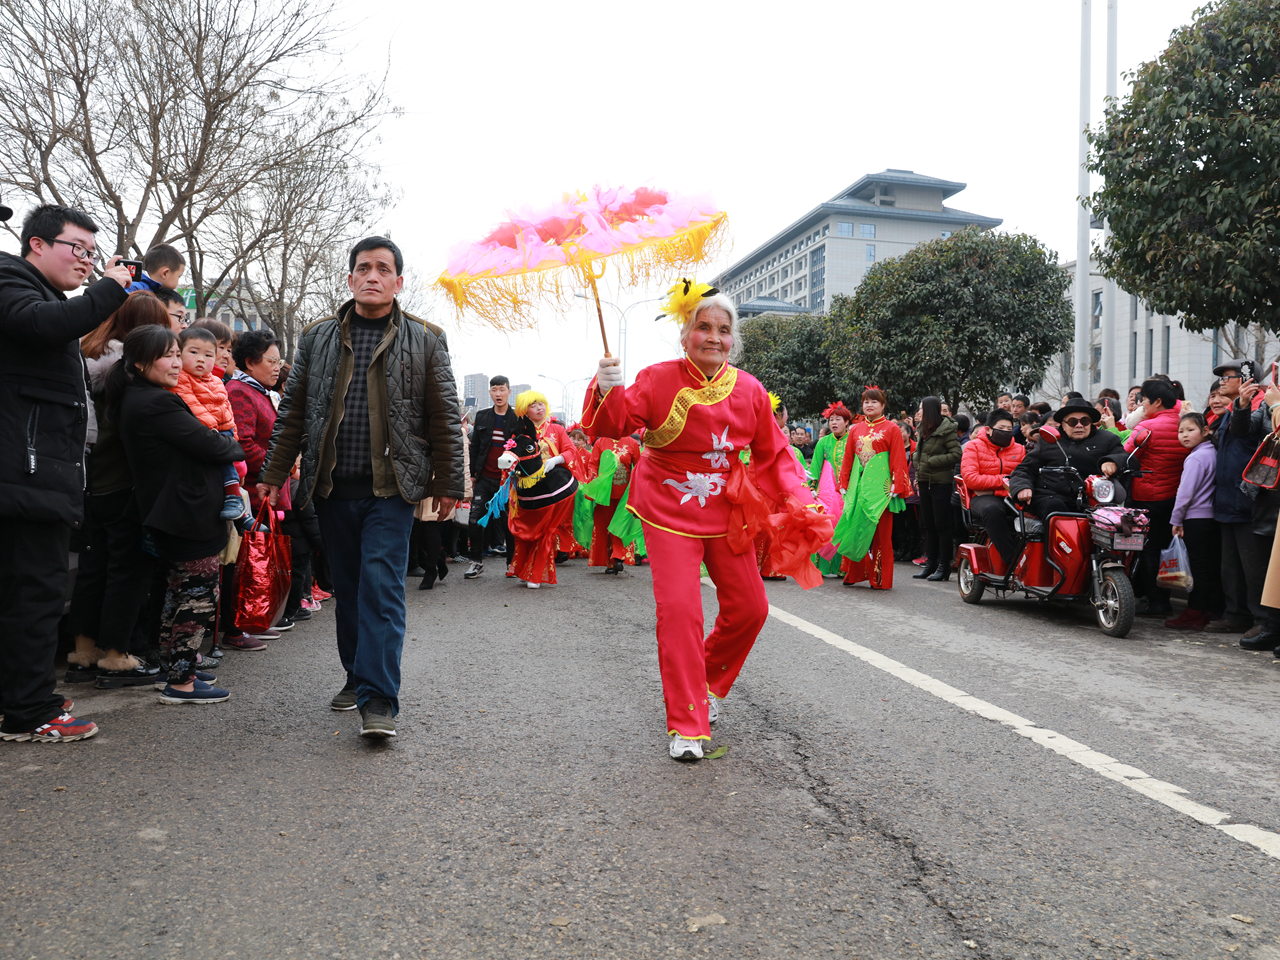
(367, 542)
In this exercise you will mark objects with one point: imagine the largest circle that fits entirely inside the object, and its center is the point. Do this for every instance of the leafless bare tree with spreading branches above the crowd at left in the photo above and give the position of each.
(168, 120)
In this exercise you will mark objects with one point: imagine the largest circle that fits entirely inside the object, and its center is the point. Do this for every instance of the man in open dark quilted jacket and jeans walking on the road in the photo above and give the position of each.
(372, 406)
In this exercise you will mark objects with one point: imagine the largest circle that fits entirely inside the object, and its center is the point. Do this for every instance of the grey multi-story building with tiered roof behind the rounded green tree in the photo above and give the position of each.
(829, 250)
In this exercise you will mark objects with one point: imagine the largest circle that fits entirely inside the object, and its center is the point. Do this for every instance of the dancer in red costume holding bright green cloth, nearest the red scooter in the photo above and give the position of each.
(877, 461)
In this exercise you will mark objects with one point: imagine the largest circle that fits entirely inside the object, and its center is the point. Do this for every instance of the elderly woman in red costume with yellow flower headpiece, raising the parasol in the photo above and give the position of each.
(698, 505)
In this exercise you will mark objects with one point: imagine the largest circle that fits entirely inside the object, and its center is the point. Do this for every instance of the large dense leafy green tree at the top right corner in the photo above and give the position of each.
(1192, 167)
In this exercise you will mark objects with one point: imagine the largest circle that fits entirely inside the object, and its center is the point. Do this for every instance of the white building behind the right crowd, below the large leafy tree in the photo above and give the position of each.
(1151, 344)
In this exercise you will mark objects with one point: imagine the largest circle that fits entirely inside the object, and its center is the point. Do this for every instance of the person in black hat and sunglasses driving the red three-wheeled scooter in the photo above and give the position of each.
(1082, 446)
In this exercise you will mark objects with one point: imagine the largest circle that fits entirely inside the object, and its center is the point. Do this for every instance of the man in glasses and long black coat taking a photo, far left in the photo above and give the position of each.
(44, 424)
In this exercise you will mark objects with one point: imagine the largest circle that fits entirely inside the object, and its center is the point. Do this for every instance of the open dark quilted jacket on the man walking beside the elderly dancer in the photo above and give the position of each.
(413, 410)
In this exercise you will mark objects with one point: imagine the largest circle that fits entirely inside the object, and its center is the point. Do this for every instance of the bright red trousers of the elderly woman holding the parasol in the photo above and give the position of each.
(688, 662)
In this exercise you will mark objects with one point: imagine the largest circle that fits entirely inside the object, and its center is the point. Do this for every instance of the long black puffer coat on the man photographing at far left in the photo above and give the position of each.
(44, 400)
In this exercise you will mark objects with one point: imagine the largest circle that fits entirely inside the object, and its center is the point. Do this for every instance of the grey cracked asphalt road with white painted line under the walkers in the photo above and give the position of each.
(907, 778)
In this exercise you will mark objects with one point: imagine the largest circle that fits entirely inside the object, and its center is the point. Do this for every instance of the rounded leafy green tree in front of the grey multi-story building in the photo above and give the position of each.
(961, 318)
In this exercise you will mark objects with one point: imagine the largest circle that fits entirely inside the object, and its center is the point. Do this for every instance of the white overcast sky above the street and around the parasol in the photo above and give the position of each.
(767, 108)
